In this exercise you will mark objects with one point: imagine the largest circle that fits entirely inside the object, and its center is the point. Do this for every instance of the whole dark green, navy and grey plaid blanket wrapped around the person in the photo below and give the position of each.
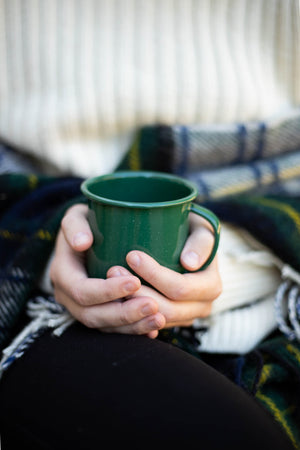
(256, 186)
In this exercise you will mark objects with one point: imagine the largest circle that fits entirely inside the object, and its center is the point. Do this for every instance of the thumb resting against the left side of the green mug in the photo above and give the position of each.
(76, 228)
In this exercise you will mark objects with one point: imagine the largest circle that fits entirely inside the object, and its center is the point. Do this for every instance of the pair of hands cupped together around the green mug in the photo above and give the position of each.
(176, 300)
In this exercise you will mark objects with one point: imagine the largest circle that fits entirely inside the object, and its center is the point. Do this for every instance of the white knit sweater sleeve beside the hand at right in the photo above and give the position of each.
(244, 313)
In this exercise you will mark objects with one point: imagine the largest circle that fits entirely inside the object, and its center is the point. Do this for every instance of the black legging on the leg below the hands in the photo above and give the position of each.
(88, 390)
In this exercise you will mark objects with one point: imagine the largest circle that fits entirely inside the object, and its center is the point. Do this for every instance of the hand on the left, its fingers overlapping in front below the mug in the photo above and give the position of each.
(97, 303)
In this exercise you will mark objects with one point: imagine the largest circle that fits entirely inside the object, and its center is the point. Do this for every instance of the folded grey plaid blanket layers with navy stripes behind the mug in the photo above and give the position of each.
(225, 160)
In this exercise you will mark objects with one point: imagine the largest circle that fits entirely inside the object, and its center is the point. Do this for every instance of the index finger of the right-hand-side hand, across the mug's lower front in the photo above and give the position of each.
(199, 286)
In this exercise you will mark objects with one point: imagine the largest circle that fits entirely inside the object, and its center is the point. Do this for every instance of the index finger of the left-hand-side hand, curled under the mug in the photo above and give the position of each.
(68, 275)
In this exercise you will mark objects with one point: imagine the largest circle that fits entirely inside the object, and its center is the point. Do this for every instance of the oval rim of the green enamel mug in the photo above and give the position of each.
(85, 185)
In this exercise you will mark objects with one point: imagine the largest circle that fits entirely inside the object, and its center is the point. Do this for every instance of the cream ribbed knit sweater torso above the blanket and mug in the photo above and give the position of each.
(78, 76)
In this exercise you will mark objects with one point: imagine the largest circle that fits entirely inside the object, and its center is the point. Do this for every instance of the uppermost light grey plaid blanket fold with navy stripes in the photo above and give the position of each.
(209, 146)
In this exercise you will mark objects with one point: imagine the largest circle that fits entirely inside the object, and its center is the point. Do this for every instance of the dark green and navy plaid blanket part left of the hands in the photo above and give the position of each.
(31, 209)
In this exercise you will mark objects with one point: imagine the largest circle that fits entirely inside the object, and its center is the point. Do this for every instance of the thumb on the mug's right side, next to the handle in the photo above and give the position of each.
(199, 244)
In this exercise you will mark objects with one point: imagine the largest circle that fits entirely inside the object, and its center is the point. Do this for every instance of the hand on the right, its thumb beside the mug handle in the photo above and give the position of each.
(181, 298)
